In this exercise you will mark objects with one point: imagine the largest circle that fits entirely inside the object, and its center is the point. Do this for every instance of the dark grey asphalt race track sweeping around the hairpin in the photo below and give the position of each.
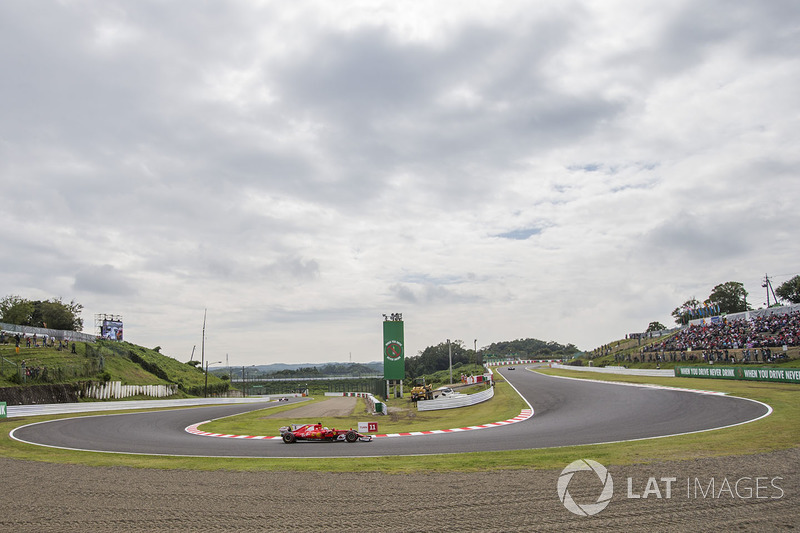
(566, 412)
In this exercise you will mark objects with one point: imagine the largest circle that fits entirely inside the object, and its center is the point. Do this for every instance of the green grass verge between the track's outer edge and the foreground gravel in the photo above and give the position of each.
(776, 432)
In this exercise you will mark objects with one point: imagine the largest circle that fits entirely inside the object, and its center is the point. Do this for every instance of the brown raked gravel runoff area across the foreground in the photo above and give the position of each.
(44, 497)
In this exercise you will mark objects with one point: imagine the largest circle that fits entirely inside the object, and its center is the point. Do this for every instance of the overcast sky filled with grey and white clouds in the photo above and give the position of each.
(567, 171)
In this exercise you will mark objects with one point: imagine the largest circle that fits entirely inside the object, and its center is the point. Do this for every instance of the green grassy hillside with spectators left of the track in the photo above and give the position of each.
(100, 361)
